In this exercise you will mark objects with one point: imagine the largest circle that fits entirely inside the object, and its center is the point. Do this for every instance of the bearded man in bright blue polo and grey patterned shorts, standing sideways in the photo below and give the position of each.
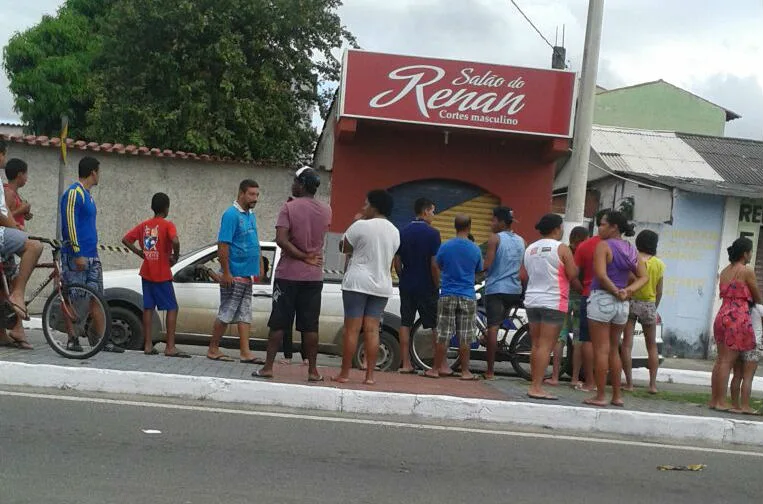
(238, 249)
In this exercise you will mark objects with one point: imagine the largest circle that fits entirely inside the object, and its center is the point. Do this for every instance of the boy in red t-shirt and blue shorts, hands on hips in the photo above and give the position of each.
(159, 249)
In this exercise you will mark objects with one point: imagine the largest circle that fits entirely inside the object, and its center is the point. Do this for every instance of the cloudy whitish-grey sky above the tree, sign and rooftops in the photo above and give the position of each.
(704, 46)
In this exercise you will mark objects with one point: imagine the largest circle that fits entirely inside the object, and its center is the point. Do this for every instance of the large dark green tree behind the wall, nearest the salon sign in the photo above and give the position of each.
(230, 77)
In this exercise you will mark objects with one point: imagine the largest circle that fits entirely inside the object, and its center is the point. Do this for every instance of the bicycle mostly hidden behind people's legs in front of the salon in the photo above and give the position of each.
(513, 343)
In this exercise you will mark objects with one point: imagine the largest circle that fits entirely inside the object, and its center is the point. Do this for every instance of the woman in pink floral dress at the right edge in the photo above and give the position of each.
(733, 327)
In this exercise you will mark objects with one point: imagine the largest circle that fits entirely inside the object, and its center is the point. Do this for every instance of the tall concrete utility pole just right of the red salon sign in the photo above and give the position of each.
(576, 192)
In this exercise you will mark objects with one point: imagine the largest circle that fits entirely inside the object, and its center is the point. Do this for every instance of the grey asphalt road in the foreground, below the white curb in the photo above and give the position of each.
(92, 450)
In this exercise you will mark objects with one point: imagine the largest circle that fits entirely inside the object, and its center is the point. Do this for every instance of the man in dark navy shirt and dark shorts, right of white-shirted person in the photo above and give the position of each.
(416, 268)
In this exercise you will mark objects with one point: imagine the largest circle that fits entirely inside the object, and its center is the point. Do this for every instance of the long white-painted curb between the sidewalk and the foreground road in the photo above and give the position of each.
(718, 431)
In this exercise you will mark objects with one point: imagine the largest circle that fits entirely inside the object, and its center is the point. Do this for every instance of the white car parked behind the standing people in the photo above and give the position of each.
(198, 300)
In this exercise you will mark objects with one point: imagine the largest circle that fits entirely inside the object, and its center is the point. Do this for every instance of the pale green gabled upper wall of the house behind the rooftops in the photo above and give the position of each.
(659, 106)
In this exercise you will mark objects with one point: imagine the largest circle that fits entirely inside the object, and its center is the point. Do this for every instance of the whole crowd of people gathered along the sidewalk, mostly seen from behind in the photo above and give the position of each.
(595, 288)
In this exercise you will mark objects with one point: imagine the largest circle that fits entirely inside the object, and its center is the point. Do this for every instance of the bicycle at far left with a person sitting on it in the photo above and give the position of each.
(70, 314)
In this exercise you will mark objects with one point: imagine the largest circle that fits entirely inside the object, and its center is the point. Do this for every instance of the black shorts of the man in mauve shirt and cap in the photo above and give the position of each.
(294, 297)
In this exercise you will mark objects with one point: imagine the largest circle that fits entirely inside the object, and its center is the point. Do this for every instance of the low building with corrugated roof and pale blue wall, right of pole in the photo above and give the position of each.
(699, 193)
